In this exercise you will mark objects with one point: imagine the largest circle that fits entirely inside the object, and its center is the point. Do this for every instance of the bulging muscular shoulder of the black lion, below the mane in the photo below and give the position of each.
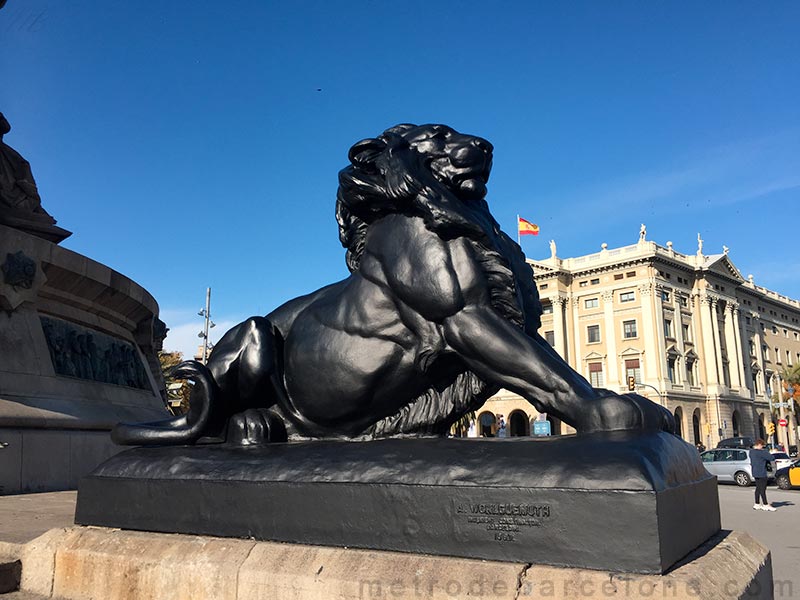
(430, 275)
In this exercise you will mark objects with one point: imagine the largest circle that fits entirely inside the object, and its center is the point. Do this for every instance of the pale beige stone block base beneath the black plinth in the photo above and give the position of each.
(85, 563)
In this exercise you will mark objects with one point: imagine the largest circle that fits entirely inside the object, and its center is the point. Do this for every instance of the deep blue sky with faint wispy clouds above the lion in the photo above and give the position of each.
(194, 144)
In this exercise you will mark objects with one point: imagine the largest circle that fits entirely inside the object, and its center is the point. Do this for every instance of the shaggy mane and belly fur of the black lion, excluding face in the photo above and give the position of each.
(389, 175)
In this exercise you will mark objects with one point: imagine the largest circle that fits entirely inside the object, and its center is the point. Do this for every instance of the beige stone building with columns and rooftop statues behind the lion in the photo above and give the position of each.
(695, 335)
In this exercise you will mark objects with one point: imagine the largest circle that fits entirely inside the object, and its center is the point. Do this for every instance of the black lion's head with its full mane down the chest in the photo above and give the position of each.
(440, 175)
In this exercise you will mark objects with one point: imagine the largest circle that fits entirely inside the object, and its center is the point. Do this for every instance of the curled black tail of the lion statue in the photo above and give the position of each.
(183, 429)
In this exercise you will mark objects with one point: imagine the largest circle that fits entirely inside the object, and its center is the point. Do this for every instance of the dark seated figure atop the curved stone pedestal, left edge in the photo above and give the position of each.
(20, 204)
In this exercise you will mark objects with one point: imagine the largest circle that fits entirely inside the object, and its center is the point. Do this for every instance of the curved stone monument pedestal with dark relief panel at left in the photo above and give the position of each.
(77, 356)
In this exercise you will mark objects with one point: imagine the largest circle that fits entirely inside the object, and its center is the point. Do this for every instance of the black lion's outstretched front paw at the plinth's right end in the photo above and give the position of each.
(615, 412)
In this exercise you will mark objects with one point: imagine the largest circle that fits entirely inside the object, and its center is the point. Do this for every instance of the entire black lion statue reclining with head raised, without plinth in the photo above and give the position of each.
(439, 312)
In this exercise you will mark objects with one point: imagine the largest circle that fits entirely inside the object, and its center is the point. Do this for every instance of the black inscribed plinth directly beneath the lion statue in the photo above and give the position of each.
(632, 502)
